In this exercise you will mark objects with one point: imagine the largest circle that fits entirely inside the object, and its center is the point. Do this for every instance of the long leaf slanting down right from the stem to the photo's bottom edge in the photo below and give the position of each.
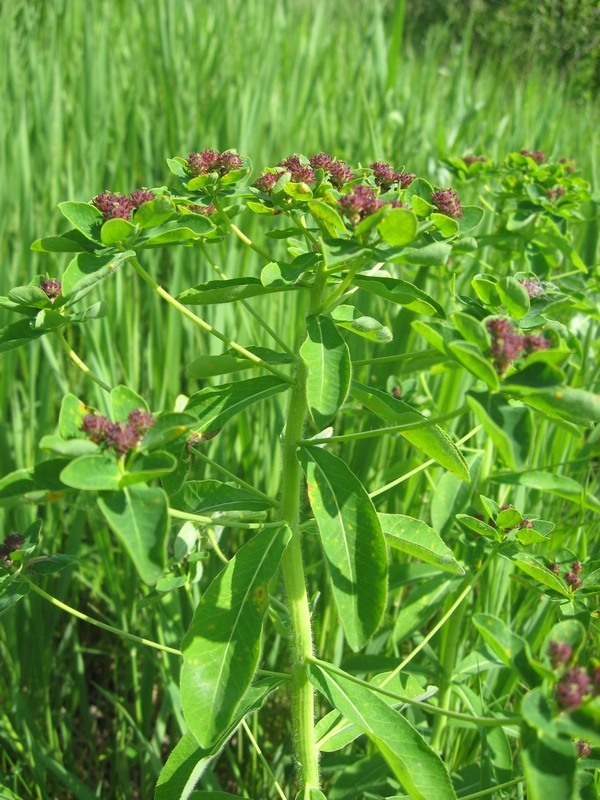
(417, 767)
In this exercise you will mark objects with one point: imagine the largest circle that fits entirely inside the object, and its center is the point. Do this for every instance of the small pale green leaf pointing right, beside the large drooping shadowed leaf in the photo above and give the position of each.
(414, 537)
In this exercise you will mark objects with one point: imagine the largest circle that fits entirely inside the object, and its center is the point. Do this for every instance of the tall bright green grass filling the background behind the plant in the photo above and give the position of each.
(97, 97)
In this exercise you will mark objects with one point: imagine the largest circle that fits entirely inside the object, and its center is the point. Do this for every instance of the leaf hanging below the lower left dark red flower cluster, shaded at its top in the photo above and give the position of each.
(138, 515)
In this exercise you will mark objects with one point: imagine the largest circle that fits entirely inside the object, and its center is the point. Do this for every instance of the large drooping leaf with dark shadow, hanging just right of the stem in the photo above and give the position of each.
(352, 540)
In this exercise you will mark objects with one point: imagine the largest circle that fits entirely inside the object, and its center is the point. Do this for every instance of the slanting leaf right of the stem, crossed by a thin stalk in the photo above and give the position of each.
(432, 440)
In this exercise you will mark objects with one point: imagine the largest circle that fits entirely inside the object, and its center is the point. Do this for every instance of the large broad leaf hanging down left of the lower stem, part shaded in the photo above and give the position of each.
(221, 648)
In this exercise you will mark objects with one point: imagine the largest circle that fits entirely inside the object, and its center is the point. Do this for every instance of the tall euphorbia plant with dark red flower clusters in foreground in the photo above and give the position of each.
(351, 234)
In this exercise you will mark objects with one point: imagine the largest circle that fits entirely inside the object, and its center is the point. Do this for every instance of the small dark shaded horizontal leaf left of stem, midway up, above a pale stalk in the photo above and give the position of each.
(210, 497)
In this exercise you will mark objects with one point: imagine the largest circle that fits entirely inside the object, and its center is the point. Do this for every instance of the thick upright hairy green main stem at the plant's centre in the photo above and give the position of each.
(303, 703)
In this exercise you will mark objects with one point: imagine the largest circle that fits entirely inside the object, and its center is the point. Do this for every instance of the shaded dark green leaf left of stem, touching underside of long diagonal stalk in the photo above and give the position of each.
(214, 405)
